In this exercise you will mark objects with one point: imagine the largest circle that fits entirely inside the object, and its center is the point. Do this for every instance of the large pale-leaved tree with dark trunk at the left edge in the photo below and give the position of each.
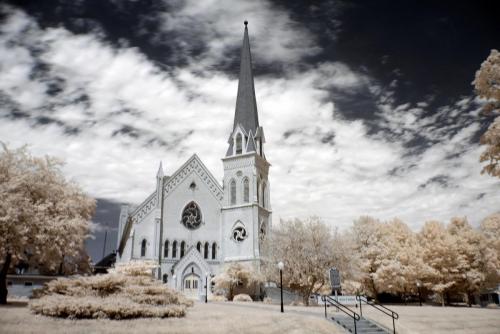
(43, 218)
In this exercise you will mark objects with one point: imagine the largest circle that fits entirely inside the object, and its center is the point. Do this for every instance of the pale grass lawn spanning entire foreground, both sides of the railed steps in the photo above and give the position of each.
(257, 318)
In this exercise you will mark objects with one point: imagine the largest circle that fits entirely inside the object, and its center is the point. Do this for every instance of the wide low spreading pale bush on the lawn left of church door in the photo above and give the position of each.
(126, 292)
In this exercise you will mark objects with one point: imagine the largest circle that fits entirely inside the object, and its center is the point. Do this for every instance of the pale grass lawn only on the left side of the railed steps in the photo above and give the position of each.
(209, 318)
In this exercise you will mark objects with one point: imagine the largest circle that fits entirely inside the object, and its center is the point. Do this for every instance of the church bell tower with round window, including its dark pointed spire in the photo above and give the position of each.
(246, 212)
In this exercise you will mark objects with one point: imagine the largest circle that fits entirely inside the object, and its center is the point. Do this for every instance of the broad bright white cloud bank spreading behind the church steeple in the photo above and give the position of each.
(113, 114)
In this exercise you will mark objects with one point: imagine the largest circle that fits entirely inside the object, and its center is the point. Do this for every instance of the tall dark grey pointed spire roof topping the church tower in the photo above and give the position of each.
(246, 105)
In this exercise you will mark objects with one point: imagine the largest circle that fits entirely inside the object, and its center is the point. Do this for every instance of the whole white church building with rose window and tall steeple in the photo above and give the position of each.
(191, 224)
